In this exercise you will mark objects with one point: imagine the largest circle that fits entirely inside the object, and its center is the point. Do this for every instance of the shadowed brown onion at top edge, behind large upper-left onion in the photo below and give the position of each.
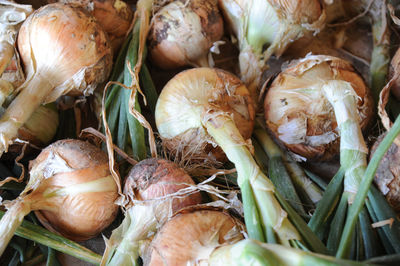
(115, 16)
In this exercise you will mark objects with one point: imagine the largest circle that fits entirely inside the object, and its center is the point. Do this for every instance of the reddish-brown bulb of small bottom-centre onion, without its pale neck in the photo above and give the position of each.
(155, 178)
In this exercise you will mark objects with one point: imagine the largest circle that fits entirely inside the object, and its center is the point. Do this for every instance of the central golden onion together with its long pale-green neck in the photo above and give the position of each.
(202, 112)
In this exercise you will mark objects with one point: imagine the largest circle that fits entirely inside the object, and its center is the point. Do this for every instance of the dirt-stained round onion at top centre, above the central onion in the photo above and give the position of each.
(183, 32)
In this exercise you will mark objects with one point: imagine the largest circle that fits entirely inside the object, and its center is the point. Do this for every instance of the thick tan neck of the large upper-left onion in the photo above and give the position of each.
(21, 109)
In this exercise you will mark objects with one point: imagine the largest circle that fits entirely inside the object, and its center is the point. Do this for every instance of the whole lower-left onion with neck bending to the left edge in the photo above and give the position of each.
(71, 190)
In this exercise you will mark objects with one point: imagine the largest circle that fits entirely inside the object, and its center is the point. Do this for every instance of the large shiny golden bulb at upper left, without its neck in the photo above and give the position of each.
(57, 41)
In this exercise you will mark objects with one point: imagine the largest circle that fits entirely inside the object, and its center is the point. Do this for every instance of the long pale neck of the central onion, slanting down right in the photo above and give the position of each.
(227, 136)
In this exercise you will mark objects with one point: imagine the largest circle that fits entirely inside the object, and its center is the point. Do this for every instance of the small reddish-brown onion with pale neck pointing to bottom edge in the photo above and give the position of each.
(153, 188)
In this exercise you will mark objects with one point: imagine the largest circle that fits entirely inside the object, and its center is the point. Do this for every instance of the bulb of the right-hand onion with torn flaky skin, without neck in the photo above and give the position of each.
(299, 115)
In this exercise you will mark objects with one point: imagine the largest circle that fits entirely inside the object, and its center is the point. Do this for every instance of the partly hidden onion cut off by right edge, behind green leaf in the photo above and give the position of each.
(387, 177)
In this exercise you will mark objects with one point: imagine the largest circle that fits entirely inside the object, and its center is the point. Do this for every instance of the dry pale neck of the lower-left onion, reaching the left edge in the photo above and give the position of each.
(11, 220)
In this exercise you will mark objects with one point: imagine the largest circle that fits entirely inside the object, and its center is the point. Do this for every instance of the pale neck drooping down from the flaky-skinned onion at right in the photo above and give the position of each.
(353, 151)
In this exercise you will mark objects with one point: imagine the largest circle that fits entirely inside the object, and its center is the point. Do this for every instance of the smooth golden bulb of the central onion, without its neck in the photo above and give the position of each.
(221, 89)
